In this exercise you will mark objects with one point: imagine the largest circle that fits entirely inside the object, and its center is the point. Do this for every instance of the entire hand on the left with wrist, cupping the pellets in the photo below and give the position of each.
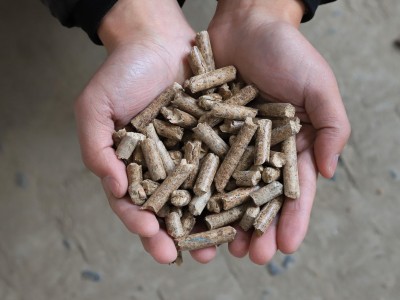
(148, 43)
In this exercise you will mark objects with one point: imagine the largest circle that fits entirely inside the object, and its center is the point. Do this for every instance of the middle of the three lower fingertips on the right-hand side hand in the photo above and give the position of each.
(263, 248)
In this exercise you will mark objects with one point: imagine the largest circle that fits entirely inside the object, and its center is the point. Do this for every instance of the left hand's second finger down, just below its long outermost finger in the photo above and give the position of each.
(137, 221)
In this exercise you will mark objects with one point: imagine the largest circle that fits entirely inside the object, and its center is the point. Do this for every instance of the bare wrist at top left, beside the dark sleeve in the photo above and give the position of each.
(131, 20)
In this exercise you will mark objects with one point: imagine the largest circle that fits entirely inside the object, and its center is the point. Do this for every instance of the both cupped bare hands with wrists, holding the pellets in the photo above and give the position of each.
(148, 44)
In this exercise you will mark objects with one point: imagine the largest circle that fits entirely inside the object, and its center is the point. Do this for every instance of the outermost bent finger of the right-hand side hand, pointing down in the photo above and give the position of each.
(324, 105)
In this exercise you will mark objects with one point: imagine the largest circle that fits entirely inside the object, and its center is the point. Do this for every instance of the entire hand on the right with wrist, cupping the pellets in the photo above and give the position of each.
(261, 38)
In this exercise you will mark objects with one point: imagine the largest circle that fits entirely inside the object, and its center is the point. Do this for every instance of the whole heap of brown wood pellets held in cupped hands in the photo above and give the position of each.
(210, 152)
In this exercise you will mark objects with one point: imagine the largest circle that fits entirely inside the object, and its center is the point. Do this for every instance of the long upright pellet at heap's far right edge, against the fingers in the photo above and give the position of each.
(290, 170)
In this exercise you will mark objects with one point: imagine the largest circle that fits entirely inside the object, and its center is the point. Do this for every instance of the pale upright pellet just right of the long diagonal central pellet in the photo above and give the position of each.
(263, 141)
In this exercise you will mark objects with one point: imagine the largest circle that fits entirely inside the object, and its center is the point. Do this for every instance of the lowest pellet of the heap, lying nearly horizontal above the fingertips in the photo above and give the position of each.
(206, 239)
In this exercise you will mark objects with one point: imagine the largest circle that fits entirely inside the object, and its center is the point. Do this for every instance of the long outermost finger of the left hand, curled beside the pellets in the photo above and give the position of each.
(95, 128)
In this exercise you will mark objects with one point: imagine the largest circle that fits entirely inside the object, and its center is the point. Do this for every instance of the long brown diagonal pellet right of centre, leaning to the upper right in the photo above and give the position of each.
(234, 154)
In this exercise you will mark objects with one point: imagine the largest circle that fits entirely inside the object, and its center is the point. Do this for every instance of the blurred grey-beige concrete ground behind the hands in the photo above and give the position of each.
(60, 240)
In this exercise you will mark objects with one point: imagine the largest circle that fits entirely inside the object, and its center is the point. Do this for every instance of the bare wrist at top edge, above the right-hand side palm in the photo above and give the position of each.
(289, 11)
